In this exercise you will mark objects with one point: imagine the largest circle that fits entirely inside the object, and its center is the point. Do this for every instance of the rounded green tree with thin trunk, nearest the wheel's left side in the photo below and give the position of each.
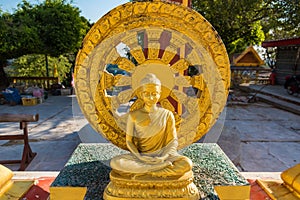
(60, 27)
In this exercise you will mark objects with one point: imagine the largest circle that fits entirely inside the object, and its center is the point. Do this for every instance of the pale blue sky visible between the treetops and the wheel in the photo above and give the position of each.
(90, 9)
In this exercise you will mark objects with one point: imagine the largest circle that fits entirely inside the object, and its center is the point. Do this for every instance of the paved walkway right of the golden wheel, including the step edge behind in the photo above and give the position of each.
(263, 135)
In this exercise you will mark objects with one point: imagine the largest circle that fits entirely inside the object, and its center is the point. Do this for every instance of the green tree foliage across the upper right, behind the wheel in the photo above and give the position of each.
(241, 23)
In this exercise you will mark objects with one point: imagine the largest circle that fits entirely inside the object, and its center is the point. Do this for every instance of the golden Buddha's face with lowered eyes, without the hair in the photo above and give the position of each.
(151, 94)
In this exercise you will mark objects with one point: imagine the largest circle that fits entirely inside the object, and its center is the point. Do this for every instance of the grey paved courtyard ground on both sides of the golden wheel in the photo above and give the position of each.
(257, 137)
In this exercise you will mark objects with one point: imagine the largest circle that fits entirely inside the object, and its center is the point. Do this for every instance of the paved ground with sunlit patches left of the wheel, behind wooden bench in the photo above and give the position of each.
(54, 137)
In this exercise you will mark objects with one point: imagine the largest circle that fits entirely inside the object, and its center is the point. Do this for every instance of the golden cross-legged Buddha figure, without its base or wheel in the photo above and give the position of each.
(151, 139)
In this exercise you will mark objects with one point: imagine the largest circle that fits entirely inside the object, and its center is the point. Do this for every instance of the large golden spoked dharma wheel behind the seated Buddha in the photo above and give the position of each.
(172, 41)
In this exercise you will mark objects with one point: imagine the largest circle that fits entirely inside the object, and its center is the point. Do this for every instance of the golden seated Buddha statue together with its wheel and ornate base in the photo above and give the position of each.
(168, 40)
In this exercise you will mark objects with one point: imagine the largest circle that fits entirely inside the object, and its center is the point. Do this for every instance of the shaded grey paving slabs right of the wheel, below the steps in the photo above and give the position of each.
(259, 137)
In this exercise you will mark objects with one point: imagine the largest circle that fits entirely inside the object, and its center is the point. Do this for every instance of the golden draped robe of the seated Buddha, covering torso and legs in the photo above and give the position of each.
(155, 139)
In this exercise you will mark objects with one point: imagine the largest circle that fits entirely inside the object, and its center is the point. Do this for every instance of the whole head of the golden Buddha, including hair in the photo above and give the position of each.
(151, 89)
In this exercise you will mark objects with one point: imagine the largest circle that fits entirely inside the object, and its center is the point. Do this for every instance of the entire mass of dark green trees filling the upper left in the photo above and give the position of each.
(52, 28)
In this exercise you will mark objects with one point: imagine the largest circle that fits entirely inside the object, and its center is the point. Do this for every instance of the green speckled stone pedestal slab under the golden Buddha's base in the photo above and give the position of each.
(88, 173)
